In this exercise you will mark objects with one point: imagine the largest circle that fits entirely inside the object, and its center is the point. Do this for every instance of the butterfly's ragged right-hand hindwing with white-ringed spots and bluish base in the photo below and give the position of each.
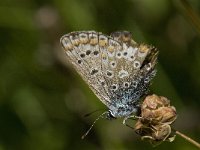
(127, 68)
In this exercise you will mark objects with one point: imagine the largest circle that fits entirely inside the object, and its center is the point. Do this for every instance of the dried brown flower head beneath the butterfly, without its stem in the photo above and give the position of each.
(156, 117)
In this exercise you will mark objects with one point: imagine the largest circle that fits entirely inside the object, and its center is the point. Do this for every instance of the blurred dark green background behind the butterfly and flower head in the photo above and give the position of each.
(43, 100)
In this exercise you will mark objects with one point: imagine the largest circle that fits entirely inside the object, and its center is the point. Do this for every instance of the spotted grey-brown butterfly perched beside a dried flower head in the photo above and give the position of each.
(116, 68)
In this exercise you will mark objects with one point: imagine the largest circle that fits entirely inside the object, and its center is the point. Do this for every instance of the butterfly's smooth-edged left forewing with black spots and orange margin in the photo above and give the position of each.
(84, 51)
